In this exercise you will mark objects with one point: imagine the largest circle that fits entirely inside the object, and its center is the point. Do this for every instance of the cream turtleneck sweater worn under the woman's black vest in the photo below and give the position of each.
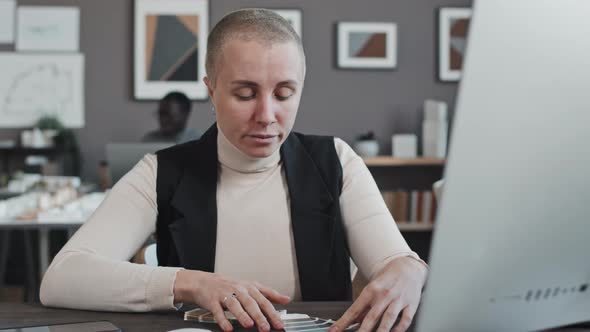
(254, 235)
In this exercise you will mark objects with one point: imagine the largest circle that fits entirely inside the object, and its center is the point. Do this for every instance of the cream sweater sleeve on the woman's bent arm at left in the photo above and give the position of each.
(92, 271)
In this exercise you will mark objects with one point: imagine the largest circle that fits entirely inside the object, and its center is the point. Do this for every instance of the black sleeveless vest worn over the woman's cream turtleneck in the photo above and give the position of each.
(186, 228)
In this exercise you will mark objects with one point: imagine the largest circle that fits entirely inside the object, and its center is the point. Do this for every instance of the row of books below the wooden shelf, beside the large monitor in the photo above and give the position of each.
(411, 206)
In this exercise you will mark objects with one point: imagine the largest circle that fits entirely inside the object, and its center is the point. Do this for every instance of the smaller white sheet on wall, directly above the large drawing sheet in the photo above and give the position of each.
(48, 29)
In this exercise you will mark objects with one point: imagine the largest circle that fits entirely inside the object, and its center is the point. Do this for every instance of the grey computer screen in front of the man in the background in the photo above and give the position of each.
(123, 156)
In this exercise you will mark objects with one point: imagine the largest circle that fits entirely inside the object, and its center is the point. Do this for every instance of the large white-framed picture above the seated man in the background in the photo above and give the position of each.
(170, 43)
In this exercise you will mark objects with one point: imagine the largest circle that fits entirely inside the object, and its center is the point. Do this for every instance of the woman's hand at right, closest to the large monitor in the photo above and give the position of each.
(394, 292)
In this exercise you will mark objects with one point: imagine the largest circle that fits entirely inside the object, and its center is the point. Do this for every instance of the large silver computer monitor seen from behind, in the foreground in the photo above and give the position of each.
(511, 245)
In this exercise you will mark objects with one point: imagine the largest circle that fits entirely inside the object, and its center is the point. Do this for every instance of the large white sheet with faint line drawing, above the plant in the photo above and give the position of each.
(34, 85)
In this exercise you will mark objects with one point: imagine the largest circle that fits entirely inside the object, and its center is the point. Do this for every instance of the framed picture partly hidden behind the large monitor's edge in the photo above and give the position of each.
(453, 26)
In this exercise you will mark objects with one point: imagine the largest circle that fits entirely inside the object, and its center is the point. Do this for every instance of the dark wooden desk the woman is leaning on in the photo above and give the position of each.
(20, 315)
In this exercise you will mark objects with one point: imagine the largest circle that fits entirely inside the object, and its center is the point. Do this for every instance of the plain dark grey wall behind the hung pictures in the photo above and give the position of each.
(335, 102)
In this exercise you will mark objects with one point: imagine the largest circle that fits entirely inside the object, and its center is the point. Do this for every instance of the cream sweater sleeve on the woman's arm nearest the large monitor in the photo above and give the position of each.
(373, 236)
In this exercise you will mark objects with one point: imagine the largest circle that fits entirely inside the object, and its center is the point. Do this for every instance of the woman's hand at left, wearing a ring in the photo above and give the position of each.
(250, 302)
